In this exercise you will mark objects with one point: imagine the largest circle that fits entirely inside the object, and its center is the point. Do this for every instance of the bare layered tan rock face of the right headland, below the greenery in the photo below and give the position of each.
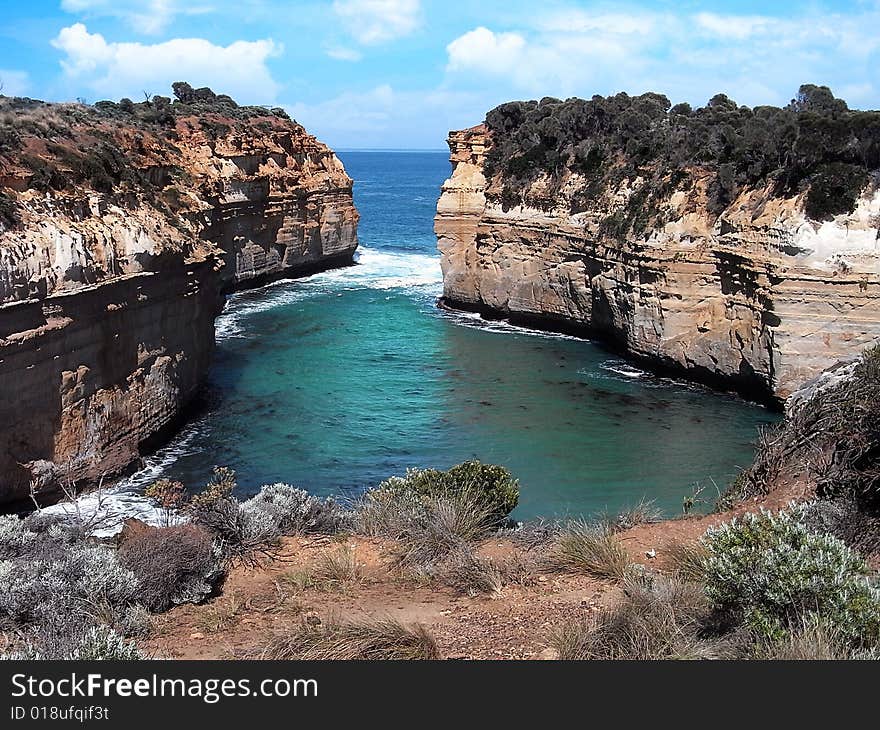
(759, 298)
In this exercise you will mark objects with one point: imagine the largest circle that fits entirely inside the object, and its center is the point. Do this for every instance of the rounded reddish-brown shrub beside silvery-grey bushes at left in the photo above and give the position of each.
(173, 565)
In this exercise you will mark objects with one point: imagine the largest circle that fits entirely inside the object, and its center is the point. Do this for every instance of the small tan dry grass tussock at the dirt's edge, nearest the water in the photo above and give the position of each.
(590, 549)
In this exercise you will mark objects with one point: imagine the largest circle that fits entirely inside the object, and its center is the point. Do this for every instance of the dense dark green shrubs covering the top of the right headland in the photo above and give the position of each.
(814, 144)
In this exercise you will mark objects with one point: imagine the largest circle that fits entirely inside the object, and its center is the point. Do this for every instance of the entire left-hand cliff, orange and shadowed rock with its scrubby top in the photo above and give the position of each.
(120, 227)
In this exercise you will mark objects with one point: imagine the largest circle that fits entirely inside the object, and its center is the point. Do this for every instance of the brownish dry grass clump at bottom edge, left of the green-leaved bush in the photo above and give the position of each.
(657, 618)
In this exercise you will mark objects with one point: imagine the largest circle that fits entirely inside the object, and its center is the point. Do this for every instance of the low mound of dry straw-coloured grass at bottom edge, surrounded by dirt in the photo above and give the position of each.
(376, 639)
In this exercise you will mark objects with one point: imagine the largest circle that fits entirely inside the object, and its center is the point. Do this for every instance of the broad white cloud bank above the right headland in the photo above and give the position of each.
(755, 59)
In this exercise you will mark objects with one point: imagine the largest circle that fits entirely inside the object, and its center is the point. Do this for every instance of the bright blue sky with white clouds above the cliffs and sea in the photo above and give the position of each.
(401, 73)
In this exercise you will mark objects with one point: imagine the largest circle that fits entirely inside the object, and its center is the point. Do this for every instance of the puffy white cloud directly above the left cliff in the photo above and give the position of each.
(128, 69)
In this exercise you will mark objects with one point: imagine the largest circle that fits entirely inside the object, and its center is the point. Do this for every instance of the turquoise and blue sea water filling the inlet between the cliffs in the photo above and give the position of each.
(338, 381)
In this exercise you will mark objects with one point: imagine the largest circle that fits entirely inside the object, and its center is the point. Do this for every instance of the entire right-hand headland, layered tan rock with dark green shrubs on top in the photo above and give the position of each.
(735, 246)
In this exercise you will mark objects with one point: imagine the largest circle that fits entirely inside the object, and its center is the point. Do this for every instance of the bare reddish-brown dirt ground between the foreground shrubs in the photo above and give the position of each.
(257, 601)
